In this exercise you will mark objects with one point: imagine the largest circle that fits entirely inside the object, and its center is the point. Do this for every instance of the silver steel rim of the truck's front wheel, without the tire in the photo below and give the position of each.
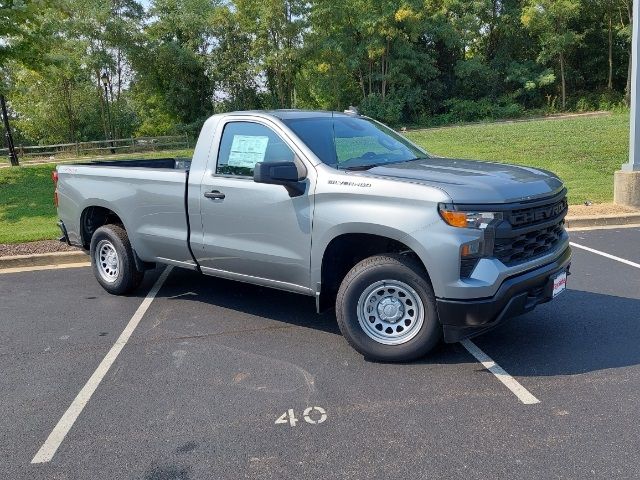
(390, 312)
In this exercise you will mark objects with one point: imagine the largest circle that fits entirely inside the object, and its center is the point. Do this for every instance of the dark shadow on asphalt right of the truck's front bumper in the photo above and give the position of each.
(580, 332)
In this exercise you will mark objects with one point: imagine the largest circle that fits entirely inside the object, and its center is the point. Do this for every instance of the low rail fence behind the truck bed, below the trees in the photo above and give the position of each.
(107, 147)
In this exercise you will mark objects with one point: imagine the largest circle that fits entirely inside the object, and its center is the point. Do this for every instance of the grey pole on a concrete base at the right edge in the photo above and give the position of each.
(626, 185)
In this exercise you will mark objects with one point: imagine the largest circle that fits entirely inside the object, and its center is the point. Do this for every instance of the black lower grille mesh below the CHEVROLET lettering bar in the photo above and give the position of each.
(521, 248)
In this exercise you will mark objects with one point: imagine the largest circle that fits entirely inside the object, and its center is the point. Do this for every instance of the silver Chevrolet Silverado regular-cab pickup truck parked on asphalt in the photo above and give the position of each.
(410, 248)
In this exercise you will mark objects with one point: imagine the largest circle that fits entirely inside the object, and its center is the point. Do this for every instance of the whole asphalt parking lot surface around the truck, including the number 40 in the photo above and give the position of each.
(217, 377)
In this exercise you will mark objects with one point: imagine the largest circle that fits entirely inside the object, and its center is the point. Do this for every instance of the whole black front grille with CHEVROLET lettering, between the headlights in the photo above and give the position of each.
(530, 232)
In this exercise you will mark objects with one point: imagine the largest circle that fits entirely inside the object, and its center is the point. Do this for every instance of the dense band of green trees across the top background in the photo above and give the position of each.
(174, 62)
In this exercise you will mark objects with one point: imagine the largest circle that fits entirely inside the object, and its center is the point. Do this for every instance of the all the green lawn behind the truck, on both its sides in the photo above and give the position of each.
(584, 152)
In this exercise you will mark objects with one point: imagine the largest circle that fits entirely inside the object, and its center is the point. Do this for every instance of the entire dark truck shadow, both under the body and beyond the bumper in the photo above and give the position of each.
(579, 332)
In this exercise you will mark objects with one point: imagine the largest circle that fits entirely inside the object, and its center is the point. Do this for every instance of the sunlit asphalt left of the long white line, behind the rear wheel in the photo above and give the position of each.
(55, 327)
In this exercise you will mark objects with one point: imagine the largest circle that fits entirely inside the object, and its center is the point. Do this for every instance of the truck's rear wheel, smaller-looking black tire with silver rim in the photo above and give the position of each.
(124, 276)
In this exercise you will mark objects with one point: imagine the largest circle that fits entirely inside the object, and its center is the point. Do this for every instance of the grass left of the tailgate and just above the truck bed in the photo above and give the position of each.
(26, 200)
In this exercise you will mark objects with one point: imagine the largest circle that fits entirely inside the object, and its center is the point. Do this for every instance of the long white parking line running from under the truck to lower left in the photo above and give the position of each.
(59, 432)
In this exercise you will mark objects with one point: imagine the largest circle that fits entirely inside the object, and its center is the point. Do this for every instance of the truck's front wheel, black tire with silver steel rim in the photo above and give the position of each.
(364, 277)
